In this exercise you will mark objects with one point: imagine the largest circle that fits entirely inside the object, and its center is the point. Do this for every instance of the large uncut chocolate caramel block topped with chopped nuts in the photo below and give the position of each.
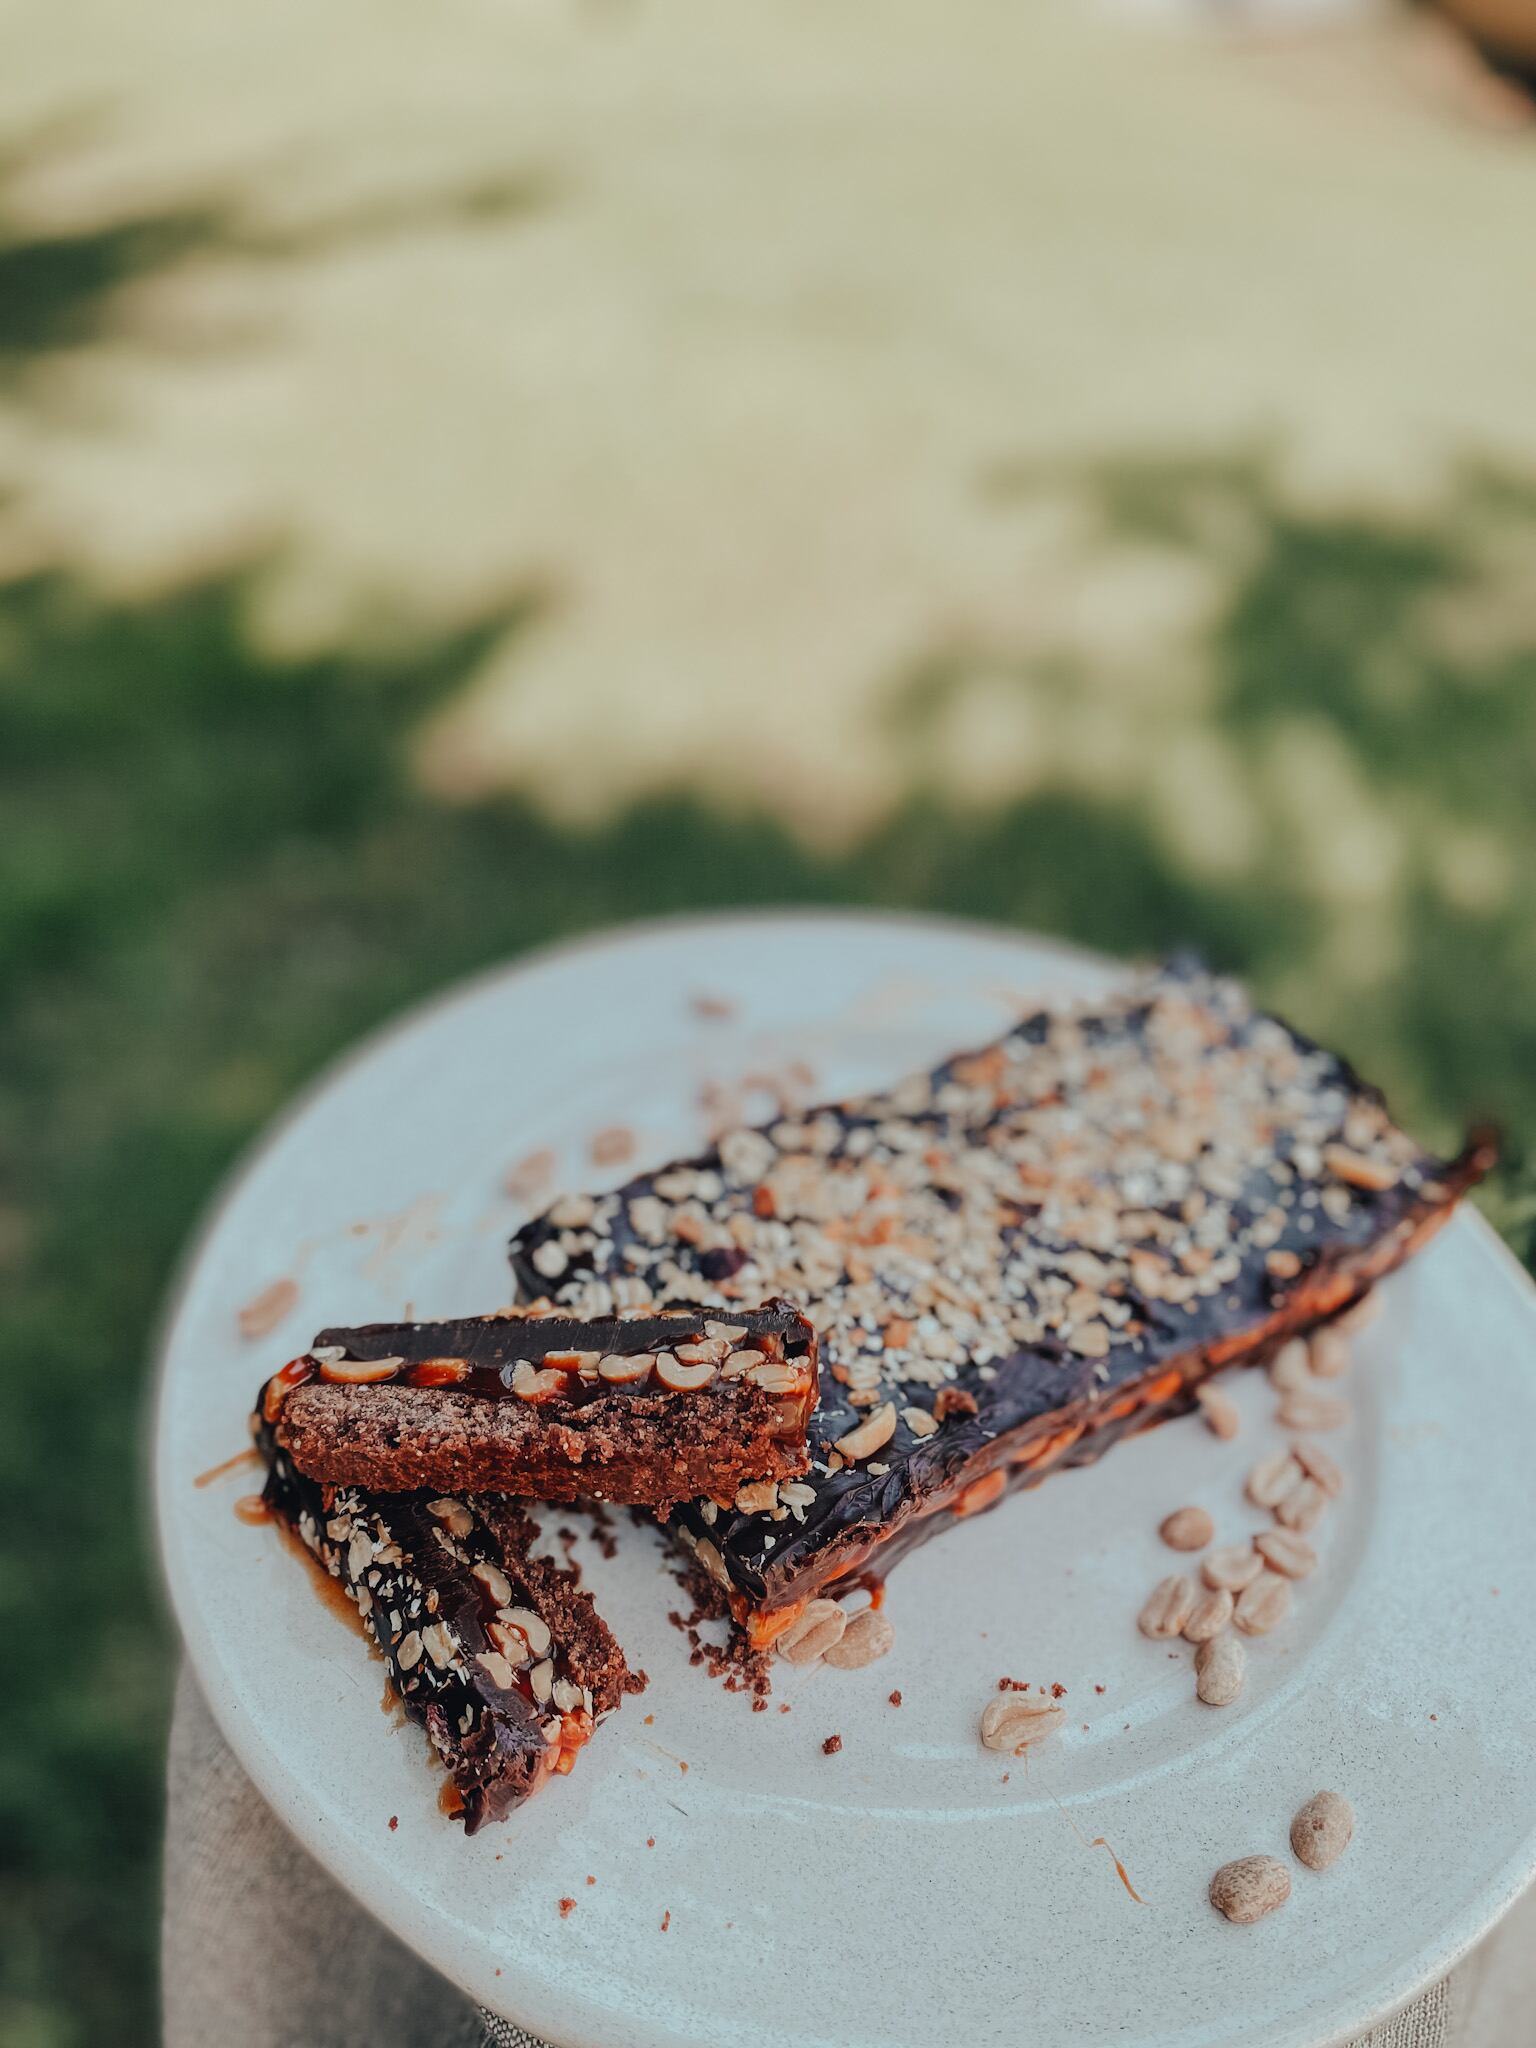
(1017, 1258)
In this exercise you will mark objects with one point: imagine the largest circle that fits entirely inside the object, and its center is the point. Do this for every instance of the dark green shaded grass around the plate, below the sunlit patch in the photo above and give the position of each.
(216, 871)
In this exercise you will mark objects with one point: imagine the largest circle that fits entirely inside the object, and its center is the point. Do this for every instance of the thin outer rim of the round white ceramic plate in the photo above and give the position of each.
(259, 1758)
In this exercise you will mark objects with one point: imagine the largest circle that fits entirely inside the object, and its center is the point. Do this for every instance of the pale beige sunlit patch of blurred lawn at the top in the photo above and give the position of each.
(732, 376)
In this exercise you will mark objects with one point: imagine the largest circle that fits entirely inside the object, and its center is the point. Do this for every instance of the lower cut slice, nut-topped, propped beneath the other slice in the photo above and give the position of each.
(493, 1650)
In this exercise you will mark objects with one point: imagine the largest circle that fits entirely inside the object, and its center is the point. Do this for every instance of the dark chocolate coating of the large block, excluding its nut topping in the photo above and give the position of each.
(1043, 1388)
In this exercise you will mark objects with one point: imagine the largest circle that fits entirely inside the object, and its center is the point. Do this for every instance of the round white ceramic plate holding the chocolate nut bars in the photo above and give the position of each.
(910, 1889)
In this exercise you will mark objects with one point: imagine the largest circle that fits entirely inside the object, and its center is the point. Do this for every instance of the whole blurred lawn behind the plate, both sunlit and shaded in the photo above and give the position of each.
(876, 472)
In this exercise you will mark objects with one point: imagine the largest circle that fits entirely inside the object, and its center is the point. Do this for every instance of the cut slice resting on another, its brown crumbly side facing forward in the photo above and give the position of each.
(636, 1406)
